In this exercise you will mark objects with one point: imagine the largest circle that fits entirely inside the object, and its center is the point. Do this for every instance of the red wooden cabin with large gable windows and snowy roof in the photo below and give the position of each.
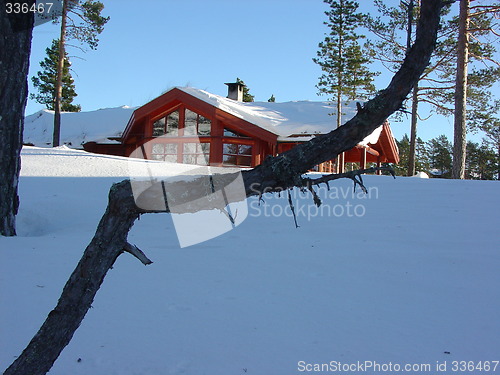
(187, 125)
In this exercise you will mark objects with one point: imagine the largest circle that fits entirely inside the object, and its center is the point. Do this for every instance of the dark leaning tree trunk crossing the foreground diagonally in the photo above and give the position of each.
(274, 174)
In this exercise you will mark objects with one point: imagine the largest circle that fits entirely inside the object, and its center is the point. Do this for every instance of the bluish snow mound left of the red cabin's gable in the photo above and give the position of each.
(77, 128)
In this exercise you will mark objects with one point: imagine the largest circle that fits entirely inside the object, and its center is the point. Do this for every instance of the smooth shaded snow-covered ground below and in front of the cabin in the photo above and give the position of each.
(407, 275)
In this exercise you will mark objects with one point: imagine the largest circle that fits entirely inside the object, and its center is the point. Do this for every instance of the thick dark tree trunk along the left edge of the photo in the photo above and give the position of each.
(15, 46)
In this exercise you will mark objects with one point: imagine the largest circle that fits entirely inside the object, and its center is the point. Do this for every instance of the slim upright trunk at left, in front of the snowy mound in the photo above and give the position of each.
(56, 137)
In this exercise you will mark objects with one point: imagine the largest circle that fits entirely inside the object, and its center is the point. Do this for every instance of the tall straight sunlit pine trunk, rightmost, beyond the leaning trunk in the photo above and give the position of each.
(459, 139)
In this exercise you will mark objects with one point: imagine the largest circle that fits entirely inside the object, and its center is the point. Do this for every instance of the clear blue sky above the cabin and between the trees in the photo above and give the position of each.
(149, 46)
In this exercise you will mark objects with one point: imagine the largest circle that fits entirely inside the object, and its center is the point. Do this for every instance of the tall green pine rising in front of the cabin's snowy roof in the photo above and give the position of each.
(341, 58)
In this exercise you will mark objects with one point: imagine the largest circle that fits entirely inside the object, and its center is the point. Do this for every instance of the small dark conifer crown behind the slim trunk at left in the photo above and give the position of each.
(45, 81)
